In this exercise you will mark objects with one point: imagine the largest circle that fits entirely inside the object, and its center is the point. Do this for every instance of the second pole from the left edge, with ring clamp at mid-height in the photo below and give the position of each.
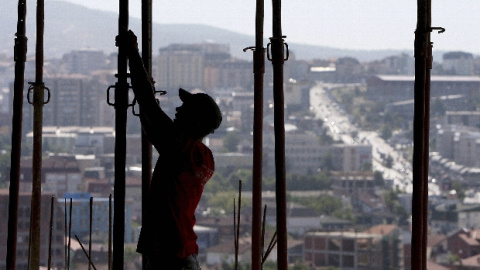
(38, 96)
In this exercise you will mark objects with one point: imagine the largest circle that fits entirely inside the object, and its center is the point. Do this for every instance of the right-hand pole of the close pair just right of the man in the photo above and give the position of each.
(279, 129)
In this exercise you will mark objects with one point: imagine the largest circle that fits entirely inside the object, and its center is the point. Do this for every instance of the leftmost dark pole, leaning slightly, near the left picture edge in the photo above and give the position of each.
(20, 55)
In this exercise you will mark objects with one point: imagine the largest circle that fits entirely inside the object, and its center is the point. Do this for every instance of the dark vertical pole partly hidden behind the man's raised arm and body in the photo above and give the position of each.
(146, 145)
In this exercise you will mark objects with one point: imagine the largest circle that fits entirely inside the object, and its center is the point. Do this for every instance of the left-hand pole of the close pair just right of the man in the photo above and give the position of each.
(258, 71)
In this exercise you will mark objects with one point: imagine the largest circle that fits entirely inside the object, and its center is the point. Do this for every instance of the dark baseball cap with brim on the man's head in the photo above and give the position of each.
(209, 108)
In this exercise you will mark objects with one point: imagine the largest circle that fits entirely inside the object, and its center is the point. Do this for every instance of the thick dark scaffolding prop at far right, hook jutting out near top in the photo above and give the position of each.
(421, 122)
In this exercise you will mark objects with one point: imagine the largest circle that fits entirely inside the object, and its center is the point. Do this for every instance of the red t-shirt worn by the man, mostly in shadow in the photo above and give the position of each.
(176, 190)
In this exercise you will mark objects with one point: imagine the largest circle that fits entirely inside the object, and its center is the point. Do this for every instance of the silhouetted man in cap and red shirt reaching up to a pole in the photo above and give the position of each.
(183, 168)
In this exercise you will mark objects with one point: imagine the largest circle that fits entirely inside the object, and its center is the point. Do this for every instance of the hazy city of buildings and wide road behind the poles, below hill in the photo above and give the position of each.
(325, 149)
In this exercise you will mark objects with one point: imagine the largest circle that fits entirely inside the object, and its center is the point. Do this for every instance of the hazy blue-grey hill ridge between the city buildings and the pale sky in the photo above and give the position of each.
(70, 27)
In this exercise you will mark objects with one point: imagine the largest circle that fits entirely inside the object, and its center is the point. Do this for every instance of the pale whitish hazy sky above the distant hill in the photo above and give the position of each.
(352, 24)
